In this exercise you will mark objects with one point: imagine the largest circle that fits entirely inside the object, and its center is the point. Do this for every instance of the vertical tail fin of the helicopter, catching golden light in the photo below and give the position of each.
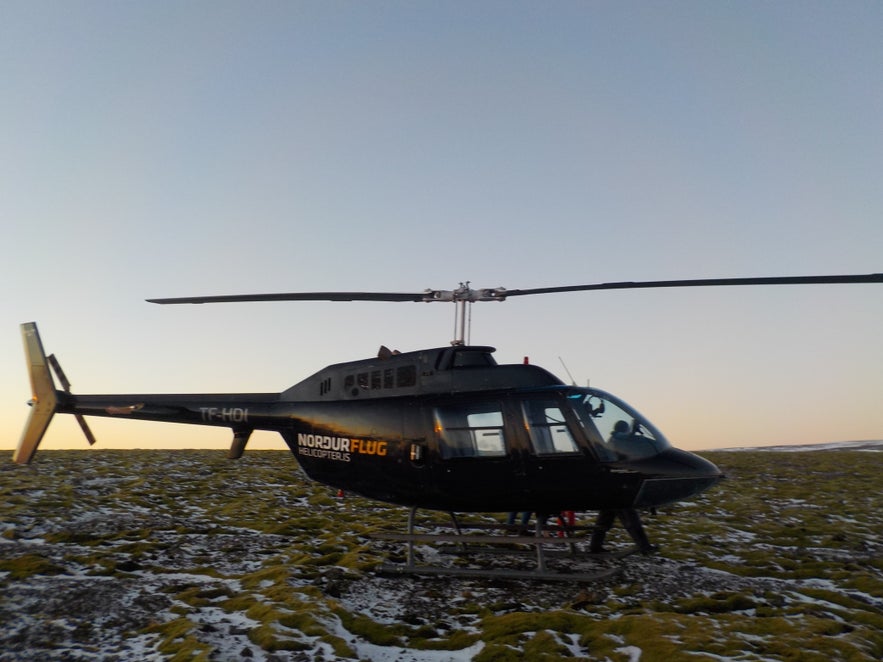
(44, 401)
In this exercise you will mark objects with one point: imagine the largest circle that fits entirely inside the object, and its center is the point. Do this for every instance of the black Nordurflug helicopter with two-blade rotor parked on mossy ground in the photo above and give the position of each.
(441, 429)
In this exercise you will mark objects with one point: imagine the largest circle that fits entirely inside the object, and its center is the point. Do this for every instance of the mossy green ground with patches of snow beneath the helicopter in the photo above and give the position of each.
(186, 556)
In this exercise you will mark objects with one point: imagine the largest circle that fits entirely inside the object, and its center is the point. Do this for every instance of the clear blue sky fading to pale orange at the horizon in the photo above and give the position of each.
(160, 149)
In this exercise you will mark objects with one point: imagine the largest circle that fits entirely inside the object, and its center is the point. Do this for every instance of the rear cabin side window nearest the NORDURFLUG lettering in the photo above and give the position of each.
(471, 430)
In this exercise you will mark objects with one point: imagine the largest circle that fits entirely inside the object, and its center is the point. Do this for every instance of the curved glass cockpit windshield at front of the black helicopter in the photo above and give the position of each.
(616, 430)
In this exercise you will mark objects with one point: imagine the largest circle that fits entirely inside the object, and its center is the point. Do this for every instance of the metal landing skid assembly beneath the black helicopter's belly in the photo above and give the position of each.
(547, 542)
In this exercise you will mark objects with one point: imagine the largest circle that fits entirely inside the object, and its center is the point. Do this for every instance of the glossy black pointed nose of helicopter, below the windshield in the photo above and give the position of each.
(675, 475)
